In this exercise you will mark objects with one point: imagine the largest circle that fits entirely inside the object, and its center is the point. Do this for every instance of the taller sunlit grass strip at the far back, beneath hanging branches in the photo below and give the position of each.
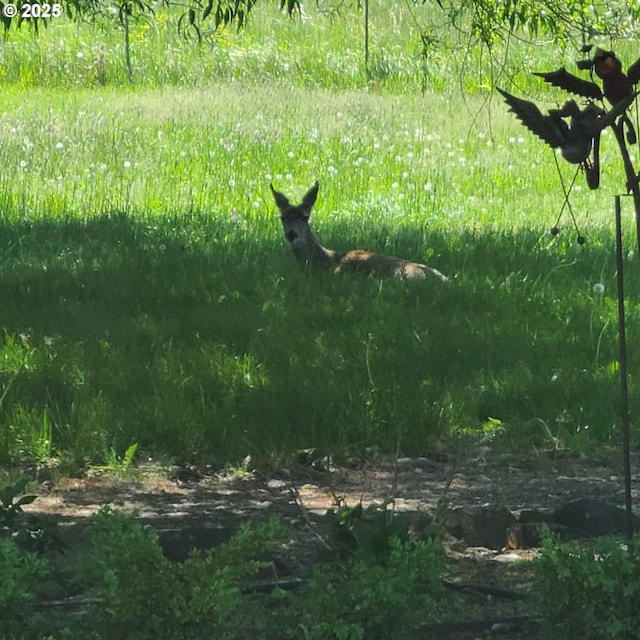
(322, 50)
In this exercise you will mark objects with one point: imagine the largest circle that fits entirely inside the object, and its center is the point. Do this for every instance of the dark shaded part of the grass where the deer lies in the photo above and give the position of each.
(200, 340)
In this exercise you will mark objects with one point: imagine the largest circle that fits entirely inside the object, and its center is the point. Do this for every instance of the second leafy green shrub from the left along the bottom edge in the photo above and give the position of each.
(144, 595)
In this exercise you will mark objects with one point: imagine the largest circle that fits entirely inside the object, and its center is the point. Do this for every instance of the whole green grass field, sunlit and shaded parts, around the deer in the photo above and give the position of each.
(147, 294)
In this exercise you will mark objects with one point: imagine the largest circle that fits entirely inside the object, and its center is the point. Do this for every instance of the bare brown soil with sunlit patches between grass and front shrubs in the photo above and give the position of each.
(196, 508)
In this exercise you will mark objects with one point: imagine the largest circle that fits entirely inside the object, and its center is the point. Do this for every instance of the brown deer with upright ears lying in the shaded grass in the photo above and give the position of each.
(311, 254)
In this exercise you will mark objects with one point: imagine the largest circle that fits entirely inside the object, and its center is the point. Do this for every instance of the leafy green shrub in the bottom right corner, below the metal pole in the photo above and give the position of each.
(589, 591)
